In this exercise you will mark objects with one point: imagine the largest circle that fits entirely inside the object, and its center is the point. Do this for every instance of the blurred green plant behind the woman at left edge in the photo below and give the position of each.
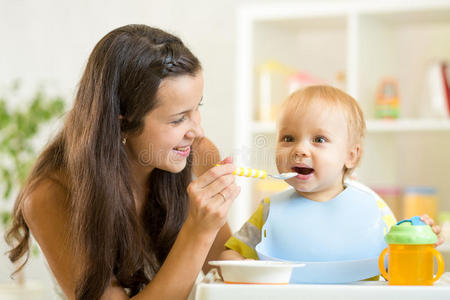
(20, 125)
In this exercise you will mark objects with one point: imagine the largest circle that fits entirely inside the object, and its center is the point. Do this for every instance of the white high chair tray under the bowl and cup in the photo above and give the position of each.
(368, 290)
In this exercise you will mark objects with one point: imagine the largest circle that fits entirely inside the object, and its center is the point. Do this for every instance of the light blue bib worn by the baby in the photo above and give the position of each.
(348, 227)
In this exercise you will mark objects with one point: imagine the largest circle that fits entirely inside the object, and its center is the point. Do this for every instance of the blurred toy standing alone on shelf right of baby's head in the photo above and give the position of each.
(387, 99)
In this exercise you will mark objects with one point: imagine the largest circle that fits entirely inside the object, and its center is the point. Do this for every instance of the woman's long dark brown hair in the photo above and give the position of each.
(122, 76)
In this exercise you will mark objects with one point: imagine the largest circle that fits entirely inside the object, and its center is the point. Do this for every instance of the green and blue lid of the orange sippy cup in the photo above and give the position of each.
(411, 232)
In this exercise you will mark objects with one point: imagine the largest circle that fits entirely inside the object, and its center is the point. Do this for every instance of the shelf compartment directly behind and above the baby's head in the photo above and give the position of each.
(290, 47)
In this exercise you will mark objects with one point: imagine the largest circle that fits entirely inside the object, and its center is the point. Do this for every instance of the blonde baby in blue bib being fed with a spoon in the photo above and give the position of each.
(325, 217)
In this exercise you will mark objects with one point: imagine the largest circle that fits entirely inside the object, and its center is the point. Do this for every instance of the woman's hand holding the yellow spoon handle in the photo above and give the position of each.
(211, 196)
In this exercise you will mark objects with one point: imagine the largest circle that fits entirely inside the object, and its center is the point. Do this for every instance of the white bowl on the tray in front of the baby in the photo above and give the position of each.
(255, 271)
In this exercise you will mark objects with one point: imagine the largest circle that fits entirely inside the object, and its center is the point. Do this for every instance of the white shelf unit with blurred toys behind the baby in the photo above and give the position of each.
(368, 41)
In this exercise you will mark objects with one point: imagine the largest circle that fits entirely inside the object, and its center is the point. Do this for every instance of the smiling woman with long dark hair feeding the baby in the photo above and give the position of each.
(110, 201)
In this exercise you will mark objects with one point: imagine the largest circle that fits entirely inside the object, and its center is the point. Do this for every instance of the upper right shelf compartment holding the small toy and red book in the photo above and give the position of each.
(402, 45)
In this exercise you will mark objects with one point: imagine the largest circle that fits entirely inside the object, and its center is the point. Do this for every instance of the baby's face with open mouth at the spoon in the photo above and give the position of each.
(314, 143)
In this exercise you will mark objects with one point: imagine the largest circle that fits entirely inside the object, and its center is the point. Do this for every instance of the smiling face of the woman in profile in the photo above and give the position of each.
(171, 127)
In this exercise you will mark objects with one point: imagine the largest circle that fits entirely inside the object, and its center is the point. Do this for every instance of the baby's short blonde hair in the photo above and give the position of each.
(299, 101)
